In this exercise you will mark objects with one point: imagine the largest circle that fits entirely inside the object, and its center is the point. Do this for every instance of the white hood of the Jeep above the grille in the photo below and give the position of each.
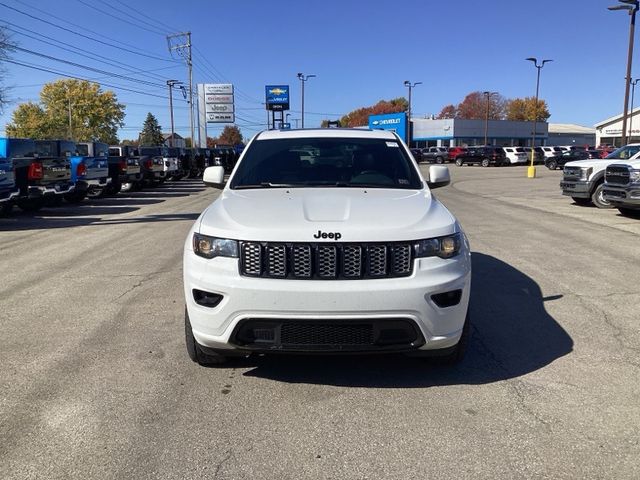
(297, 215)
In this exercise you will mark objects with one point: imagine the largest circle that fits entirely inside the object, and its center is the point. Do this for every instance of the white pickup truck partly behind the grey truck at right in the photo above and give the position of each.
(583, 180)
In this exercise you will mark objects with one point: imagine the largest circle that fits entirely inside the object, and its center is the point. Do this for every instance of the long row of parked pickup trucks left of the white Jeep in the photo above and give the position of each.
(34, 173)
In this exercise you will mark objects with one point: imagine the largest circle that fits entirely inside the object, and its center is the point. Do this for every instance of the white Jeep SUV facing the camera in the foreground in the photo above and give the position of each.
(349, 253)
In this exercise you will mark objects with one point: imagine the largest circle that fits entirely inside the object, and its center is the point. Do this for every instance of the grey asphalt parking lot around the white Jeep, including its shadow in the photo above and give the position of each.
(96, 381)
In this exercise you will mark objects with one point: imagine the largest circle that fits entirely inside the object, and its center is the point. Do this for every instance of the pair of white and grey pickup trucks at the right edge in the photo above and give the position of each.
(610, 182)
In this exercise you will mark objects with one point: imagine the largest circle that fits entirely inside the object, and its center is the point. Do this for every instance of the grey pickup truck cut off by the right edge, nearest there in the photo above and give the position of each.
(622, 187)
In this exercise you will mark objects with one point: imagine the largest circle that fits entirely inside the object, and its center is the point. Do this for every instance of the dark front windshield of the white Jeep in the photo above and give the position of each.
(329, 162)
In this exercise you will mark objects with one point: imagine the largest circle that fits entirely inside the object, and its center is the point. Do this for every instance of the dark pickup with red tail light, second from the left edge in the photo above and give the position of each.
(39, 173)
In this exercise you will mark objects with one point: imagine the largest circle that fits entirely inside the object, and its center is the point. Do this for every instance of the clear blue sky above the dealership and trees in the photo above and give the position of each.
(361, 52)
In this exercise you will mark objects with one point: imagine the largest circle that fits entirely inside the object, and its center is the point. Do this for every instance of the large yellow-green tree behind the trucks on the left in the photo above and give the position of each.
(74, 109)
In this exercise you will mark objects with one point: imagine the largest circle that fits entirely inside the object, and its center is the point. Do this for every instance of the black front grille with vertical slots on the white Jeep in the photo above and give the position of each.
(325, 261)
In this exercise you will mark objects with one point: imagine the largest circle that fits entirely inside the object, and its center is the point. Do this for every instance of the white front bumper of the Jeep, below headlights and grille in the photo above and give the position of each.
(277, 302)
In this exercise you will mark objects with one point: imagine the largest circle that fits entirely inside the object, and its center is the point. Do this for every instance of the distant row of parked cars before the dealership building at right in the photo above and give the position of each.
(487, 155)
